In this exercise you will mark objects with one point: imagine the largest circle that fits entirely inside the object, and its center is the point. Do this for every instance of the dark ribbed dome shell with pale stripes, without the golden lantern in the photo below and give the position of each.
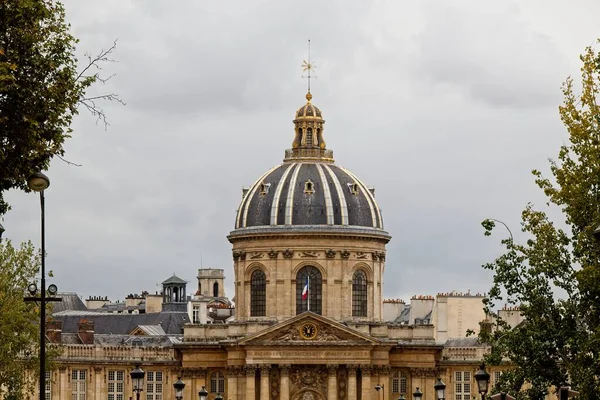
(308, 193)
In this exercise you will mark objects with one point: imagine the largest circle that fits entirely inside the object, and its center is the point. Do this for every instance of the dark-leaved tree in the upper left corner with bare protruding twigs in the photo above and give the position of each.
(40, 88)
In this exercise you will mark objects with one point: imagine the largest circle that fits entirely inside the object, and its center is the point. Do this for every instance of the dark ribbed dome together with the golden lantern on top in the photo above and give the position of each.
(308, 189)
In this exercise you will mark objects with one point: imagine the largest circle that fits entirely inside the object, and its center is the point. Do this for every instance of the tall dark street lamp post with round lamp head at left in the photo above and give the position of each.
(39, 182)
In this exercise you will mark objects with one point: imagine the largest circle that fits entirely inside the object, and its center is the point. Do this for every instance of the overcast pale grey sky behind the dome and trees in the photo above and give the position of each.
(444, 107)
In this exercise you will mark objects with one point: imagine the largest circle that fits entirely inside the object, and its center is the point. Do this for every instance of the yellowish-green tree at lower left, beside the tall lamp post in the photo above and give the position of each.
(19, 321)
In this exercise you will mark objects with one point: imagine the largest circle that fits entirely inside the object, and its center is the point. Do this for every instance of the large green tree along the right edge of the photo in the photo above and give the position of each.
(554, 275)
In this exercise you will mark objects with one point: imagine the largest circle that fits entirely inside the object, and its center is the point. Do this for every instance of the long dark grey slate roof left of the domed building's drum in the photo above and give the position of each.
(171, 322)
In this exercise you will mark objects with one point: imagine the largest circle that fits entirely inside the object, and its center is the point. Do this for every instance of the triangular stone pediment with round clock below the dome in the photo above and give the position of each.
(292, 332)
